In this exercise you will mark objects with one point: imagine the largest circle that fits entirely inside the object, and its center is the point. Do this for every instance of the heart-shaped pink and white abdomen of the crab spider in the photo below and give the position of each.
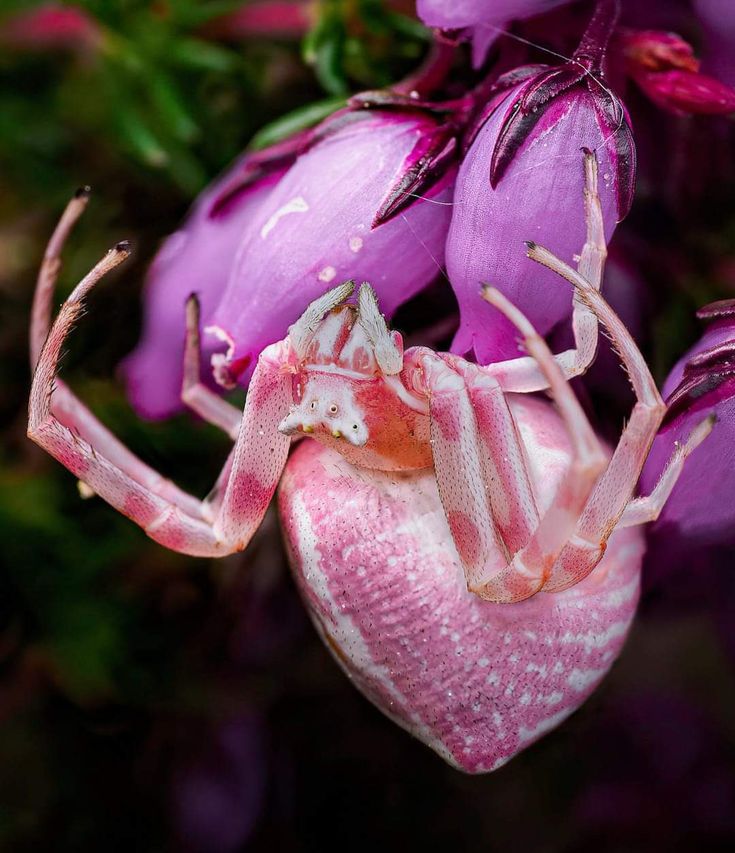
(476, 681)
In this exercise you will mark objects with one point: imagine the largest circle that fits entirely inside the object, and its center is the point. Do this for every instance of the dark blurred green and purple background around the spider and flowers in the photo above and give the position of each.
(151, 701)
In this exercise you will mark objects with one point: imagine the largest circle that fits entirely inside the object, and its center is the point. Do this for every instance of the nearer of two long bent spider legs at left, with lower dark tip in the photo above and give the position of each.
(63, 426)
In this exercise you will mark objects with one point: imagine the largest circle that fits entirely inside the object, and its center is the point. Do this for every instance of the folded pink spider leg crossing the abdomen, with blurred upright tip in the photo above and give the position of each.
(494, 571)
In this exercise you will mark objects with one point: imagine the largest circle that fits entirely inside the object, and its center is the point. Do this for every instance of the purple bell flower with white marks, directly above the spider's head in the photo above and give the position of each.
(359, 204)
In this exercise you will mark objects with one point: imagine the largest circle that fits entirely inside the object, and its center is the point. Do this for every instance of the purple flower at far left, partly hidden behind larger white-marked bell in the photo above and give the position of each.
(195, 259)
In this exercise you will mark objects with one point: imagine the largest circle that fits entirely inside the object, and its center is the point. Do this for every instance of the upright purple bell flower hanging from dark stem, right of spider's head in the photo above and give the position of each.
(523, 179)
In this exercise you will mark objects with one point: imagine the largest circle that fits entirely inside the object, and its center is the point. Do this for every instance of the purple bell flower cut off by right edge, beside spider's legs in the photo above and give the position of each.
(701, 509)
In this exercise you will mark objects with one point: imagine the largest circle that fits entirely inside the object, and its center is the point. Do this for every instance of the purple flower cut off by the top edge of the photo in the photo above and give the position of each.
(484, 19)
